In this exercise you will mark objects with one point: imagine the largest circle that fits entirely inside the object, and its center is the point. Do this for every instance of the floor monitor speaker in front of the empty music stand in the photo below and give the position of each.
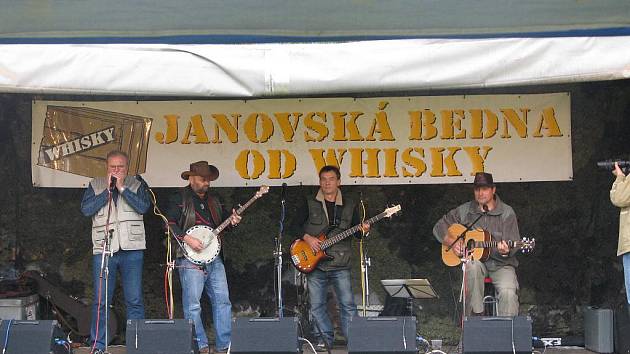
(380, 335)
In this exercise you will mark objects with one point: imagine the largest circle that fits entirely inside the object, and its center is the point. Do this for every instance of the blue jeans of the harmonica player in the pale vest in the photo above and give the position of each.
(129, 263)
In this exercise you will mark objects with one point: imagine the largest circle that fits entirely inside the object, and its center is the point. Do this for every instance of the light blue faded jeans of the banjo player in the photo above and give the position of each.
(213, 280)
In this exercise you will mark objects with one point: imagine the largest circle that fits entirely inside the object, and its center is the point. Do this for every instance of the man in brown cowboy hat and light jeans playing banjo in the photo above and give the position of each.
(193, 205)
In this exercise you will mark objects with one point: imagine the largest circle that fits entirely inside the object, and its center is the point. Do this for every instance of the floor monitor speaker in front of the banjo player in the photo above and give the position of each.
(160, 337)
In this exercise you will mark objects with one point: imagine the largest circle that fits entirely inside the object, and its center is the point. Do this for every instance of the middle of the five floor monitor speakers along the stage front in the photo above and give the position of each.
(264, 335)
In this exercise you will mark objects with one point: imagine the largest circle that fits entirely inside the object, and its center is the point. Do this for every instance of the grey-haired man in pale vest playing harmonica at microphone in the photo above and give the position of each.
(116, 209)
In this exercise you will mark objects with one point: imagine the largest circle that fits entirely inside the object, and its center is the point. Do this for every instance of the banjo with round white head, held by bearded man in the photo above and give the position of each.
(209, 237)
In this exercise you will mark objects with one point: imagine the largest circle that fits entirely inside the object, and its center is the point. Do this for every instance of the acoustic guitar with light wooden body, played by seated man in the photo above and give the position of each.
(479, 243)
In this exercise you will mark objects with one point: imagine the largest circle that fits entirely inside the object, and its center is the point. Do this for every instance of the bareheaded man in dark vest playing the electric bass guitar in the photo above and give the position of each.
(329, 212)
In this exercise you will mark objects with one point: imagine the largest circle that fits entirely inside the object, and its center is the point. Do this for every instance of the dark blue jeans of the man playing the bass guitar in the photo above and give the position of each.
(341, 281)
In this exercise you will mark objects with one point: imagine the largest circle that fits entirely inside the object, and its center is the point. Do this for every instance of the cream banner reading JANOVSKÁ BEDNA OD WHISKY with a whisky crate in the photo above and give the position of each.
(383, 140)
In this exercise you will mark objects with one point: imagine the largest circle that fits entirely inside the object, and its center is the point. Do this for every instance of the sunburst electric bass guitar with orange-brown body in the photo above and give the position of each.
(306, 260)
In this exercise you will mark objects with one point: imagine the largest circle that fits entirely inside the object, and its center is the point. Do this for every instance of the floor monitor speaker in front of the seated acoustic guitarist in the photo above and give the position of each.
(496, 335)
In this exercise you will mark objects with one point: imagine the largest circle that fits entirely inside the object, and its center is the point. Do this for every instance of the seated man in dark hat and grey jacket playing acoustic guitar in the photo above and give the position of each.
(499, 220)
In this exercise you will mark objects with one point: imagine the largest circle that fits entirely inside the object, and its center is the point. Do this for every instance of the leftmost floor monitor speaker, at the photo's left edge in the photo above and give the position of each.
(28, 337)
